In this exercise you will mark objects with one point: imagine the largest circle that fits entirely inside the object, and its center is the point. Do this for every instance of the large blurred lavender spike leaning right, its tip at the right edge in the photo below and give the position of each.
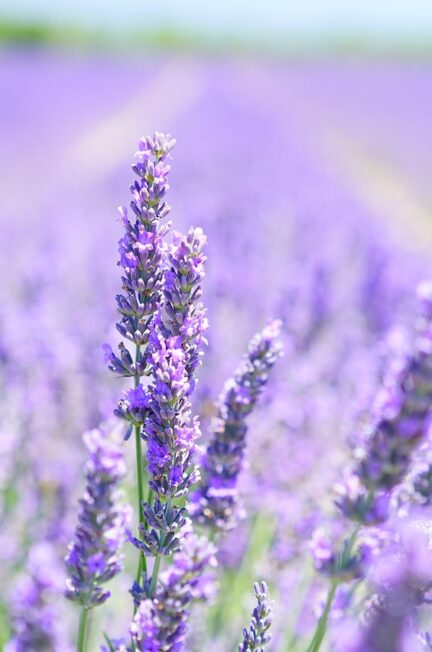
(403, 421)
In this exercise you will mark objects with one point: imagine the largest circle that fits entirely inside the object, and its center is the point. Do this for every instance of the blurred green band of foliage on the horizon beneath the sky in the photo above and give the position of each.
(337, 44)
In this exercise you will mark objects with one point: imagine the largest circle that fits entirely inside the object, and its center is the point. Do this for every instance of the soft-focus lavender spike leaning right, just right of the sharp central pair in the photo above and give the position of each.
(215, 502)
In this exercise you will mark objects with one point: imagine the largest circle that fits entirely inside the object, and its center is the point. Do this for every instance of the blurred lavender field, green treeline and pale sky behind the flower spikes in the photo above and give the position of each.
(304, 150)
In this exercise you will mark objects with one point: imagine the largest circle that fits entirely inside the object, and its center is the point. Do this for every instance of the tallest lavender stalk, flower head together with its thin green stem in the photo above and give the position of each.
(141, 252)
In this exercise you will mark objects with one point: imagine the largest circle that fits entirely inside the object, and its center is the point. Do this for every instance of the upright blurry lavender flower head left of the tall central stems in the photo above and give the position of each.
(94, 555)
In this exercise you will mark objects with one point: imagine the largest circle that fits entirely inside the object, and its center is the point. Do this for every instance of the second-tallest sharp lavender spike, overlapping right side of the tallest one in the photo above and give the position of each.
(169, 429)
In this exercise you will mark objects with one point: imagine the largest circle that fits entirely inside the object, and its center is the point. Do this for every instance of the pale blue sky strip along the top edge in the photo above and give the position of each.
(386, 19)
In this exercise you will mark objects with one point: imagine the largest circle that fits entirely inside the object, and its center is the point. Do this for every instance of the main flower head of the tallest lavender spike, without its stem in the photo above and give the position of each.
(141, 251)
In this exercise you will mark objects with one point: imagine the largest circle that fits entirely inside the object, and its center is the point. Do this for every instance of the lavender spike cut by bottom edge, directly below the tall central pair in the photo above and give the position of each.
(160, 625)
